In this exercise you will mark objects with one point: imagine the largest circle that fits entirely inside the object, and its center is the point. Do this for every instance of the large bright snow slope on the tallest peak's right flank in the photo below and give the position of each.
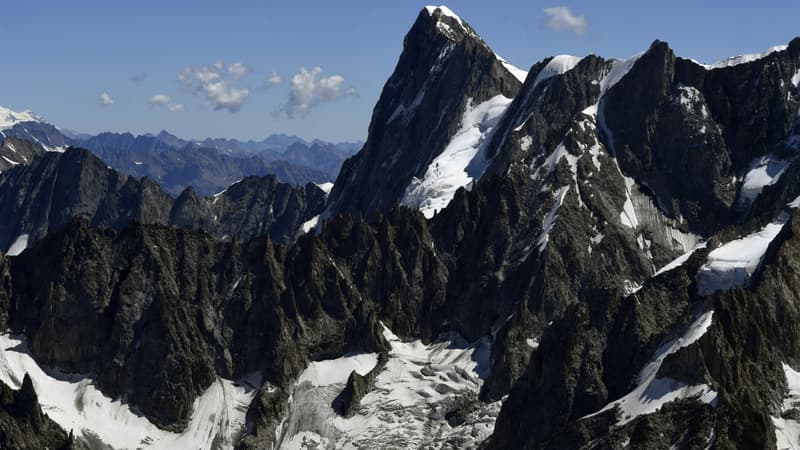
(461, 162)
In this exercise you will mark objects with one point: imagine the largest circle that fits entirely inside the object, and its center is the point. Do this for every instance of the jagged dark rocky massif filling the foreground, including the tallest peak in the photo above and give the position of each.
(630, 249)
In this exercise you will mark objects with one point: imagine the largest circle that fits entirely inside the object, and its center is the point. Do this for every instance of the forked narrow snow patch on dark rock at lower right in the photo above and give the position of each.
(652, 393)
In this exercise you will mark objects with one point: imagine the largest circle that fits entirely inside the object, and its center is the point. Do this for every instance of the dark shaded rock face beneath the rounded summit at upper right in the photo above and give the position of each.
(687, 132)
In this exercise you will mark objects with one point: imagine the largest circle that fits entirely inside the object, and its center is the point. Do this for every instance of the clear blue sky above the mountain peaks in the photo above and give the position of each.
(60, 57)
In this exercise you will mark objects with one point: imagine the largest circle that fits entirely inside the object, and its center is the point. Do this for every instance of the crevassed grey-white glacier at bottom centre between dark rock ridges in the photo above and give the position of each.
(406, 407)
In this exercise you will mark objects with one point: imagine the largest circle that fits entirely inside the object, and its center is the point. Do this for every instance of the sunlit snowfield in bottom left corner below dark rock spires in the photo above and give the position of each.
(73, 402)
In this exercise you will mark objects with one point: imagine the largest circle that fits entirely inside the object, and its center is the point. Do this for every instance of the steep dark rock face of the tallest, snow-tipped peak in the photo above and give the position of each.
(444, 66)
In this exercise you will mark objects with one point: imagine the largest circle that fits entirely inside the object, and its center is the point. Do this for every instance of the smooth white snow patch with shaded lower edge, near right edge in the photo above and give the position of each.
(732, 264)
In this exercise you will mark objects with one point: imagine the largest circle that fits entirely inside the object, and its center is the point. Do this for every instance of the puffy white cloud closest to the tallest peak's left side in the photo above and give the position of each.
(310, 89)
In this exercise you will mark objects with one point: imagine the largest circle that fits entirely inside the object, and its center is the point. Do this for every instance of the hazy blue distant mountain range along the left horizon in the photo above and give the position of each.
(208, 166)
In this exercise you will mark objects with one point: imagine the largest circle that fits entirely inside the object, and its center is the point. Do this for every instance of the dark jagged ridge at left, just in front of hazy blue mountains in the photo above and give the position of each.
(55, 188)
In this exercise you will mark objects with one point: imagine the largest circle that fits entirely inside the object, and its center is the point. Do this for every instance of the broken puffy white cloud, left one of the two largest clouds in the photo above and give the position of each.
(219, 88)
